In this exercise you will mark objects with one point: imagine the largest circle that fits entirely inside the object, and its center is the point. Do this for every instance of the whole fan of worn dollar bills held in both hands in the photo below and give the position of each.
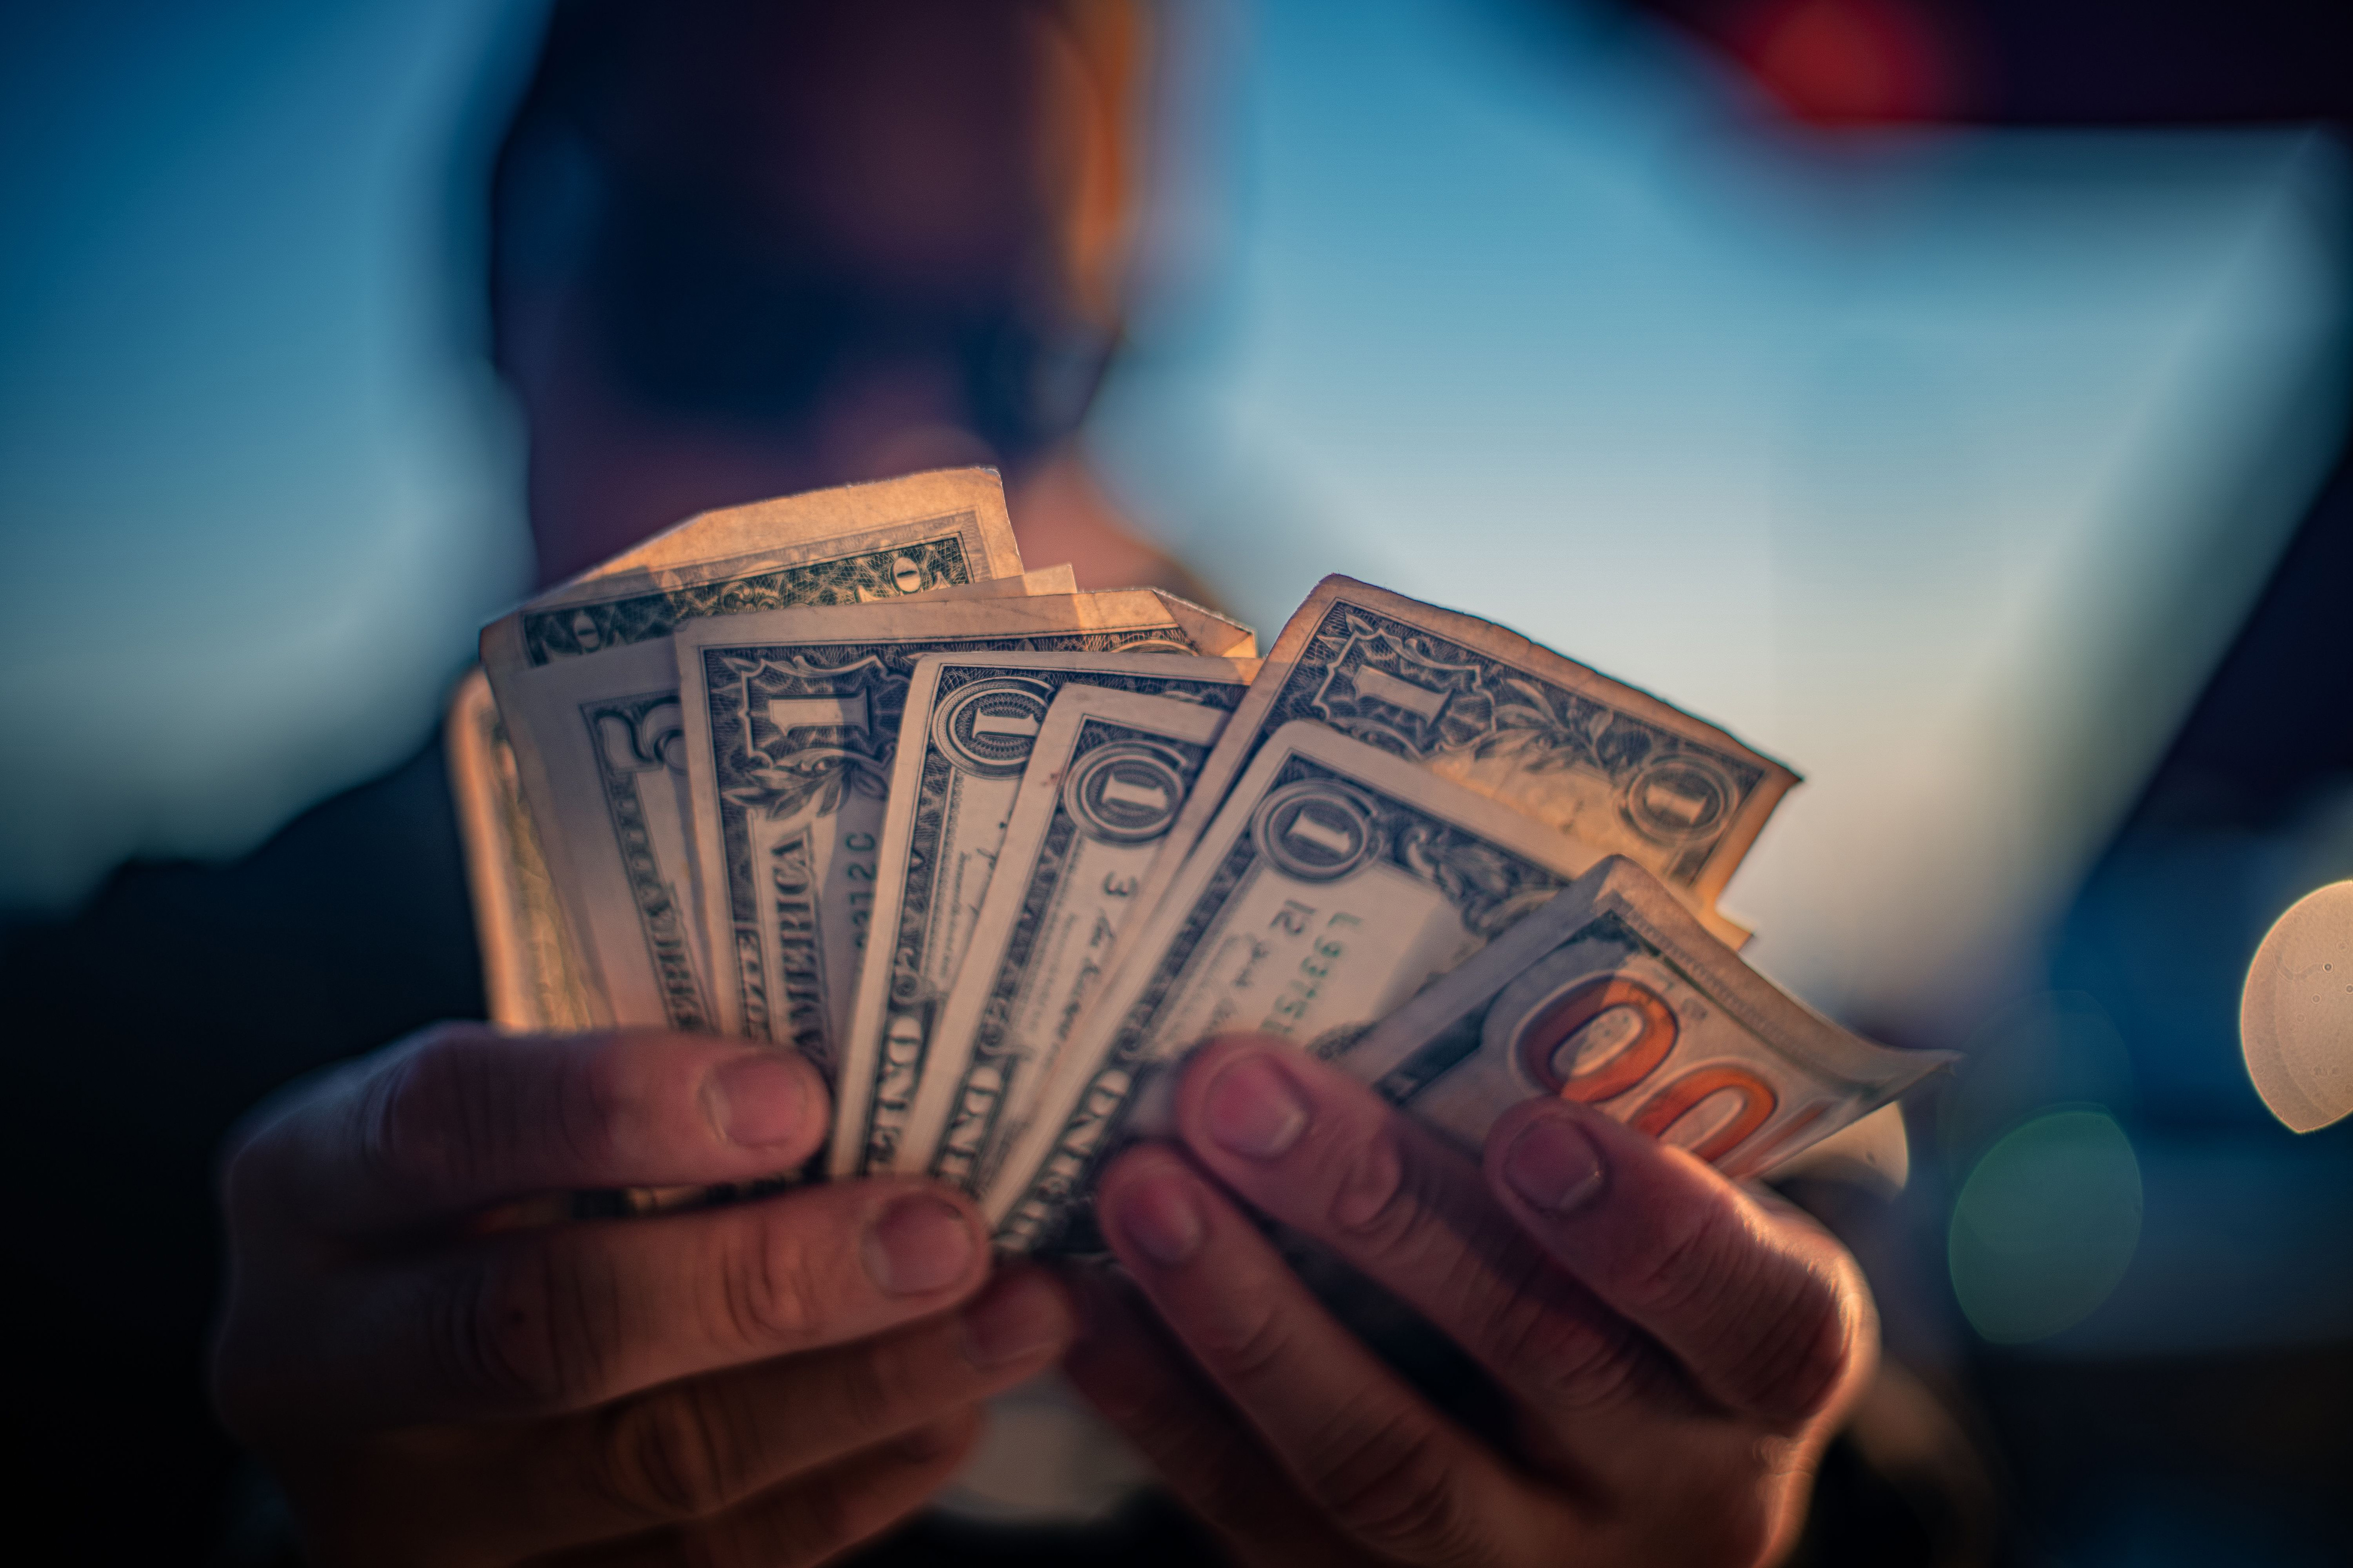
(836, 772)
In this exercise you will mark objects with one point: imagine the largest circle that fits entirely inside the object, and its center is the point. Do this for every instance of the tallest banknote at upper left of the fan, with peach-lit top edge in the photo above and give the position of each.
(589, 692)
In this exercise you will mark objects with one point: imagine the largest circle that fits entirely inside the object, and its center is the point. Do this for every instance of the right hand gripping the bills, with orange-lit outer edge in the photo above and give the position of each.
(1674, 1353)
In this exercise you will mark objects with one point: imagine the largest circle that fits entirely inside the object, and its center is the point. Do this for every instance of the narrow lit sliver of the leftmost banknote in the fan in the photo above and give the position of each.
(528, 970)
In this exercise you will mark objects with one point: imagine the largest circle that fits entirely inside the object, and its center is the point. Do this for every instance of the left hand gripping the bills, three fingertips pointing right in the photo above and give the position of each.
(764, 1383)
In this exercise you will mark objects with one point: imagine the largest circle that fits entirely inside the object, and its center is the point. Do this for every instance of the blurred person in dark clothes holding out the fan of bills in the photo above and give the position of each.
(742, 250)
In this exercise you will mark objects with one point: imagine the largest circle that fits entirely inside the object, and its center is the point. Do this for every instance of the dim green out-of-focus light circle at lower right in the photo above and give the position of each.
(2046, 1226)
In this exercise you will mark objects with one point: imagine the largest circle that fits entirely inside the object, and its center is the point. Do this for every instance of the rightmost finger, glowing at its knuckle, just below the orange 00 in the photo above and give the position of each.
(1768, 1315)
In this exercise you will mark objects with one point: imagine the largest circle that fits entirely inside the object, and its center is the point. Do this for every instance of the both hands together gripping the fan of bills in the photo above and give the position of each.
(439, 1379)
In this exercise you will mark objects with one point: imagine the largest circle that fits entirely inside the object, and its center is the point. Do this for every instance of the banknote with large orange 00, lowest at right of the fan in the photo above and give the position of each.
(1613, 996)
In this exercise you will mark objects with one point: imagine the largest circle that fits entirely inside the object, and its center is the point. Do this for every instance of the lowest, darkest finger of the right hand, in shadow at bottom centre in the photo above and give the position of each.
(1206, 1454)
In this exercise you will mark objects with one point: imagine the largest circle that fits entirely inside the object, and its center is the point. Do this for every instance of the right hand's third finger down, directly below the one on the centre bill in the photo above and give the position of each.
(1361, 1447)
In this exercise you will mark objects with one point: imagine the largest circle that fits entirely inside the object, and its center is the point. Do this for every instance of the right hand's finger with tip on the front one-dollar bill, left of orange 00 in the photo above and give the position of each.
(1328, 1158)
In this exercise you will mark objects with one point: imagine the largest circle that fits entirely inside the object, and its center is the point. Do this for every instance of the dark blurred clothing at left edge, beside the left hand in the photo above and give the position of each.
(145, 1028)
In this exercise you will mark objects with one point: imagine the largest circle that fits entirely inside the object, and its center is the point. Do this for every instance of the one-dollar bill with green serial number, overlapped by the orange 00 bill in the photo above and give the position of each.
(1333, 885)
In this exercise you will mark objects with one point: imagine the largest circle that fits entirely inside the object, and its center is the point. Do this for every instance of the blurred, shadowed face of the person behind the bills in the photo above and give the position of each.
(761, 248)
